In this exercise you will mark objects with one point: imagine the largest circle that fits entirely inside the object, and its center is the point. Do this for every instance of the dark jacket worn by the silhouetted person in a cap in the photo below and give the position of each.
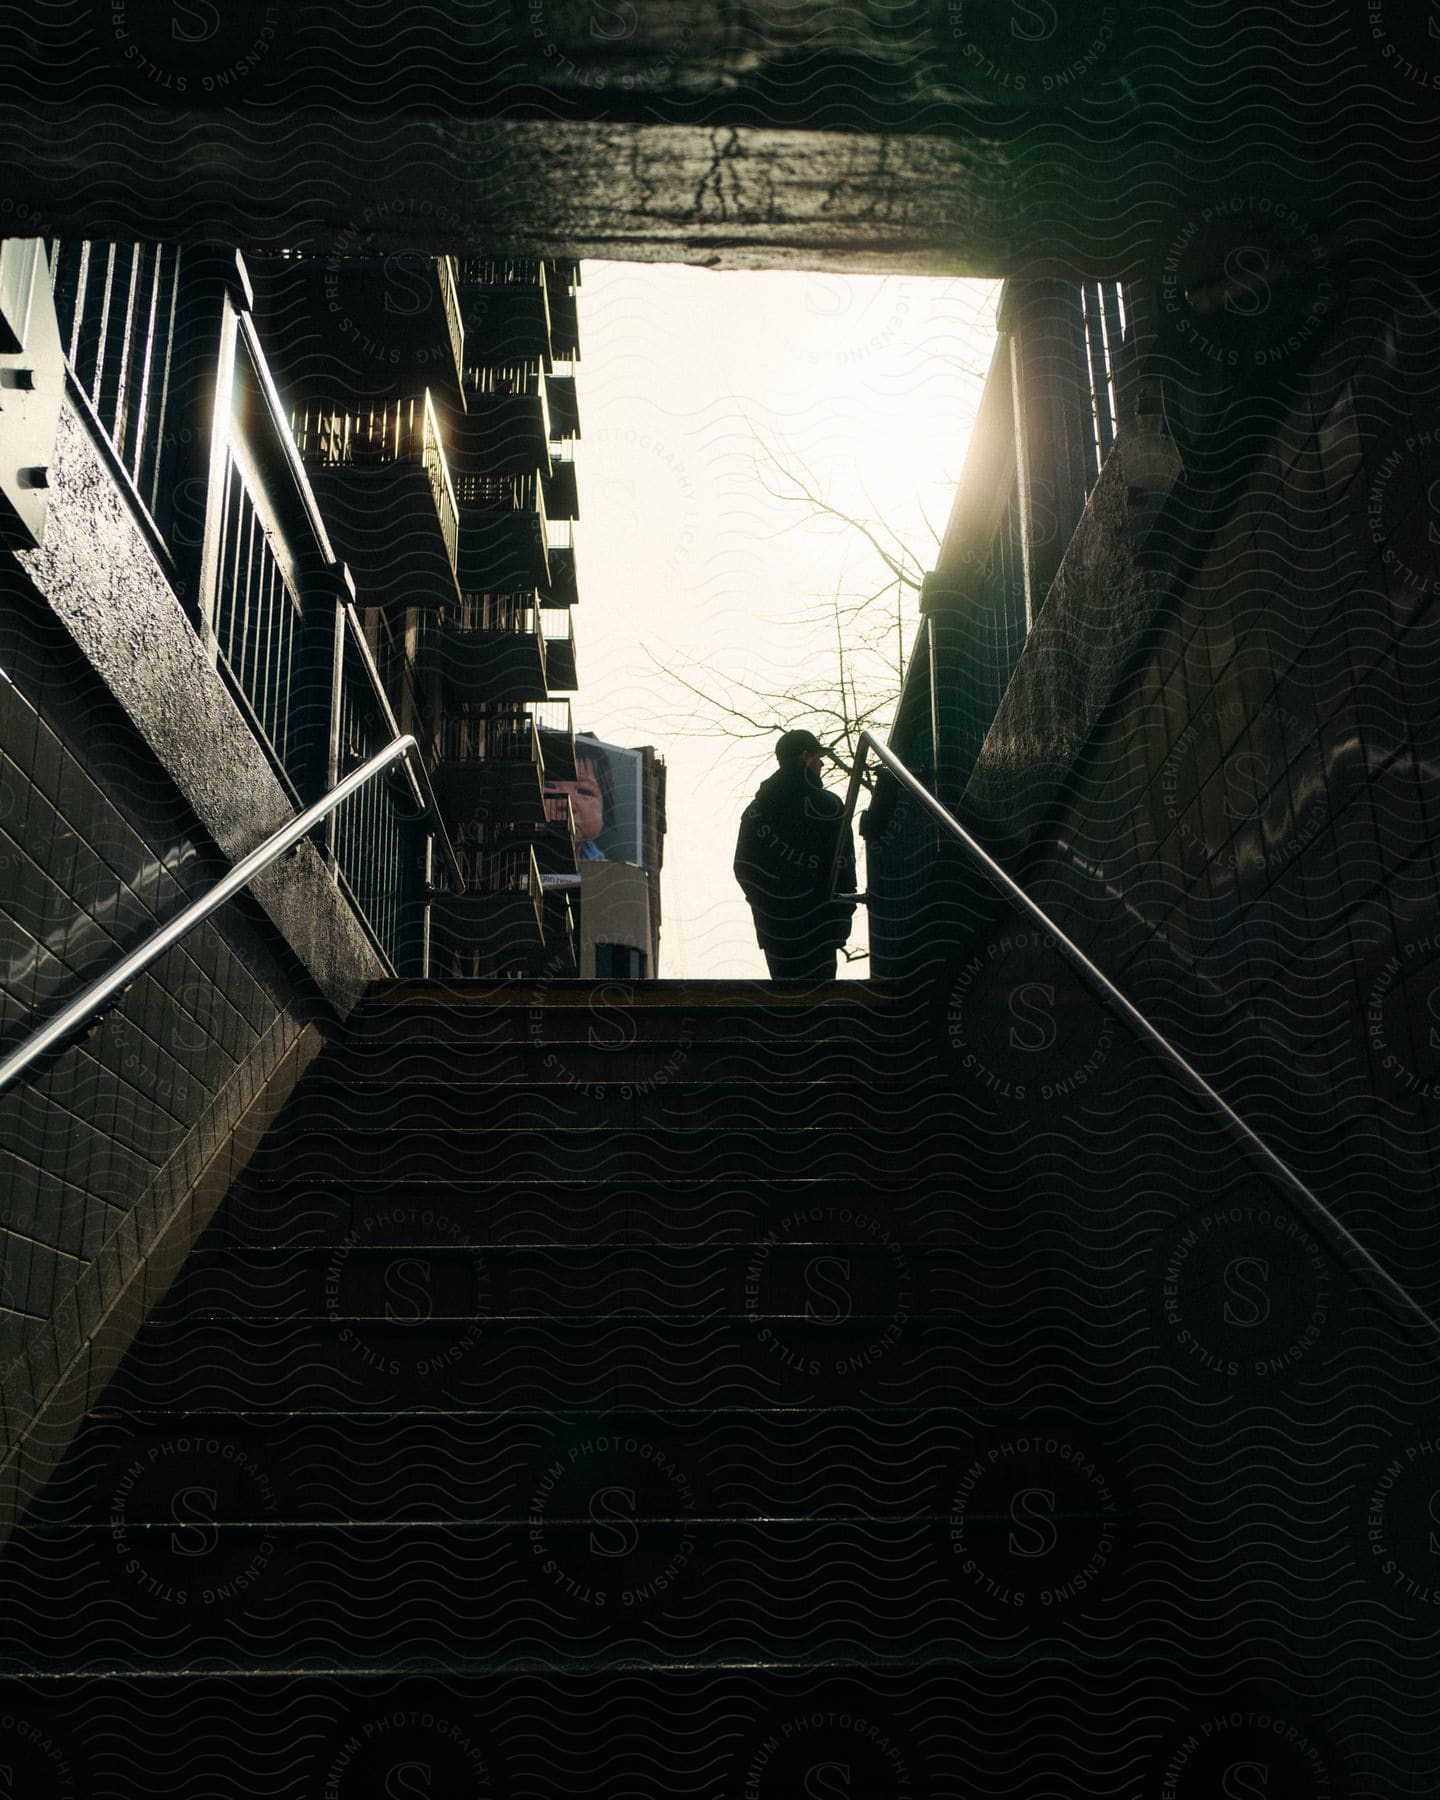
(784, 852)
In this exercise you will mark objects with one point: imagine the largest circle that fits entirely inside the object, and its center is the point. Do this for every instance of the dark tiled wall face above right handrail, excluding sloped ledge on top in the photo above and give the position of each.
(1250, 845)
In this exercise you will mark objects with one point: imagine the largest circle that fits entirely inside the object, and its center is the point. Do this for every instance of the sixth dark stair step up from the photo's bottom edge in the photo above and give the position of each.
(579, 1212)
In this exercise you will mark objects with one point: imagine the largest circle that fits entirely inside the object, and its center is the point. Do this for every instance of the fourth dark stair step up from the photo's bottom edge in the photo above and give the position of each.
(760, 1360)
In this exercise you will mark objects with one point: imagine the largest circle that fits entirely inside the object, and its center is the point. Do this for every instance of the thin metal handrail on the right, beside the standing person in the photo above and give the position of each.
(1344, 1245)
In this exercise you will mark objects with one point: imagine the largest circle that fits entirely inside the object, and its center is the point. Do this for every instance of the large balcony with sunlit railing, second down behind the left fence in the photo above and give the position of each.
(386, 496)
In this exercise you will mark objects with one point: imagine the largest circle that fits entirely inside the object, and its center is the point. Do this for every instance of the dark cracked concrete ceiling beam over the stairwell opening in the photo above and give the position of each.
(948, 136)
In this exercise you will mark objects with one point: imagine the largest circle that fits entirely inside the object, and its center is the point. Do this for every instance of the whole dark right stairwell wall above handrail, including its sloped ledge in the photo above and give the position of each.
(1218, 759)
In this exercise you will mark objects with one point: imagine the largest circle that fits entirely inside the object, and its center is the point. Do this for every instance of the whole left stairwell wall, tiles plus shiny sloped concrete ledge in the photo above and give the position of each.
(130, 780)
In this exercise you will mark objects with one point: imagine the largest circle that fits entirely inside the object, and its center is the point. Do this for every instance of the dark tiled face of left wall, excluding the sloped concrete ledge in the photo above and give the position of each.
(103, 1146)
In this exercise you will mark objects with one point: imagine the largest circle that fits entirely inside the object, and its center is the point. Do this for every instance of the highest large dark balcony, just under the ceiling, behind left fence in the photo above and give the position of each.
(379, 328)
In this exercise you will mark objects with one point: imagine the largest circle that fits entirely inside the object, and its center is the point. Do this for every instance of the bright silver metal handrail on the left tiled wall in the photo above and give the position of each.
(96, 998)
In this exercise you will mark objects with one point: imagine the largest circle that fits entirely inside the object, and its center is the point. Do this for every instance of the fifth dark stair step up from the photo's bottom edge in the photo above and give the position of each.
(823, 1266)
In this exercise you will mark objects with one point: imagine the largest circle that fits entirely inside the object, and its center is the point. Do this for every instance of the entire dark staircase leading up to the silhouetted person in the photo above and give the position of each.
(624, 1392)
